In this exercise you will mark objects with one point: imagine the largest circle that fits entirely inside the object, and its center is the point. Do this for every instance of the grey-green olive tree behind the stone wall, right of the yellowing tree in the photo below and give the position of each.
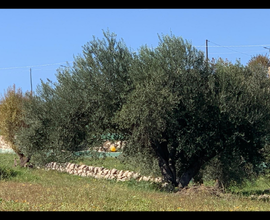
(73, 113)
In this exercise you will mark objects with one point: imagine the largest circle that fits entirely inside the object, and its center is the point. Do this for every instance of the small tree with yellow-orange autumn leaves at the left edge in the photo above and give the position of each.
(11, 112)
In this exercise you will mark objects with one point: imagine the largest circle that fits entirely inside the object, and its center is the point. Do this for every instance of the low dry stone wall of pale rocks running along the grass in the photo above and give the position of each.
(99, 172)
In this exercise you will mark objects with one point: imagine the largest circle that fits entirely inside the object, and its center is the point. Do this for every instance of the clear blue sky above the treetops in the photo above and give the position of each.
(44, 39)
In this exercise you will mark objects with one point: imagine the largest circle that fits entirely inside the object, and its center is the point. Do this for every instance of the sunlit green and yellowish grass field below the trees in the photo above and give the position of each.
(23, 189)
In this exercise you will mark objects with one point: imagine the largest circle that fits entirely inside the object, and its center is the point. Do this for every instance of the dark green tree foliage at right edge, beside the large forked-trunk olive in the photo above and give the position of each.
(246, 105)
